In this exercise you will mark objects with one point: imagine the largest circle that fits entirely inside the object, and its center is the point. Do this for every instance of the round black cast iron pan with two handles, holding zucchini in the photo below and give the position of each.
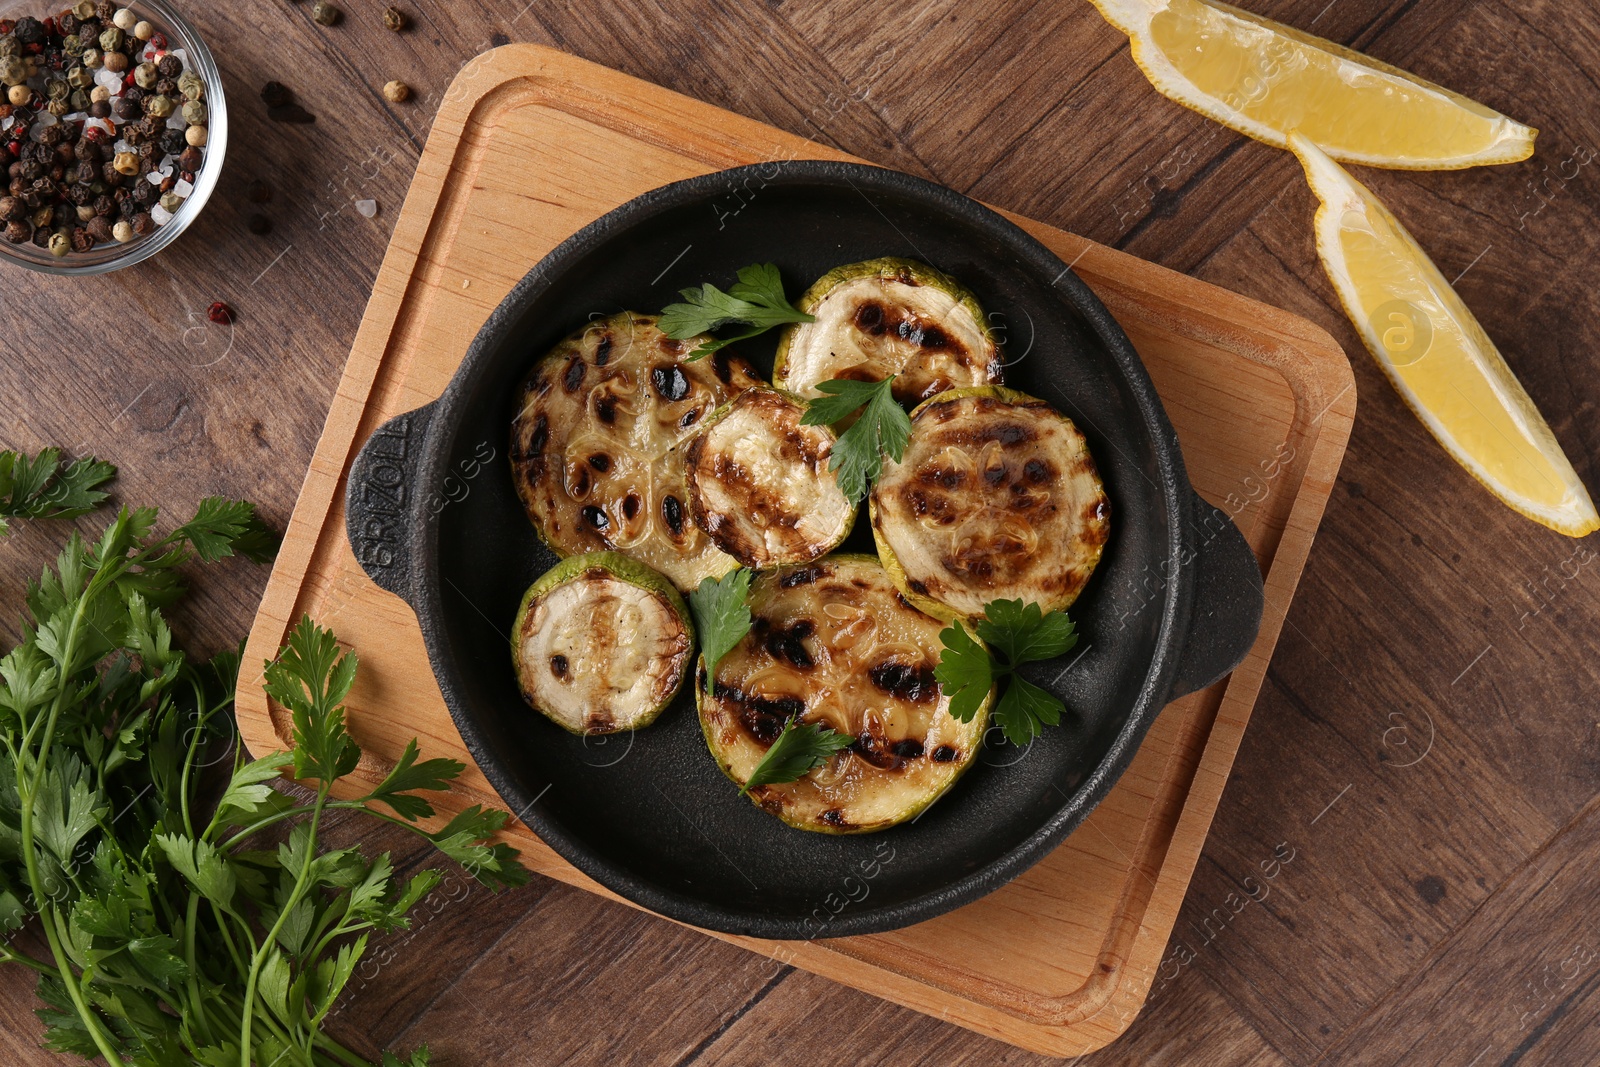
(434, 518)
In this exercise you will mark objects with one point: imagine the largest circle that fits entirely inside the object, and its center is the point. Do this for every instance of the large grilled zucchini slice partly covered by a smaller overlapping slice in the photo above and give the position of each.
(594, 444)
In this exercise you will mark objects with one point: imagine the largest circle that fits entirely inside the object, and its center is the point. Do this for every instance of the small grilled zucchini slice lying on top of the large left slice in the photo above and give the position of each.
(761, 487)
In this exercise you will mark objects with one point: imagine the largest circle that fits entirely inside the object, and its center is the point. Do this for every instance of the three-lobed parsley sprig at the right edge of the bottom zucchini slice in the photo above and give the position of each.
(1017, 634)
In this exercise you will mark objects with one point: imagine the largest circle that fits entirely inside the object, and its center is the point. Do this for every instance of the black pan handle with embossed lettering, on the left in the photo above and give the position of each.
(378, 500)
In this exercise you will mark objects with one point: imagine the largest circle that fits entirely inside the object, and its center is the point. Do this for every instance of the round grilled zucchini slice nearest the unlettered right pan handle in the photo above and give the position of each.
(996, 498)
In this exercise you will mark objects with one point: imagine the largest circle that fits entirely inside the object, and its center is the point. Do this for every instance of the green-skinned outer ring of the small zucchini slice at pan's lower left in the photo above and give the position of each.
(617, 569)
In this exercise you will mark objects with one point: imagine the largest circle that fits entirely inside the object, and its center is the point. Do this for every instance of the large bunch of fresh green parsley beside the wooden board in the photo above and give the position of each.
(172, 941)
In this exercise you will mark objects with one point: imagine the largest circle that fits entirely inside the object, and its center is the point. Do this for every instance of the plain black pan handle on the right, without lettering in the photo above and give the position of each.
(1228, 602)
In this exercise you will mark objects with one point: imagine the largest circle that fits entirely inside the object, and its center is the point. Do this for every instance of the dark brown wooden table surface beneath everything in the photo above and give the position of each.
(1422, 772)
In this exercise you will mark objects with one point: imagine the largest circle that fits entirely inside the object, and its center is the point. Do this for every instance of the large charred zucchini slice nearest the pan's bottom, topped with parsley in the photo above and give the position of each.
(834, 644)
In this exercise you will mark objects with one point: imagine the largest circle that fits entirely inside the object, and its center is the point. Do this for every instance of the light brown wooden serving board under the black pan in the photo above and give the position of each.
(529, 146)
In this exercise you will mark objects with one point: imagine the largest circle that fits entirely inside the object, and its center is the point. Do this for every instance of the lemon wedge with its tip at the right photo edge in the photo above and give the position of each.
(1438, 354)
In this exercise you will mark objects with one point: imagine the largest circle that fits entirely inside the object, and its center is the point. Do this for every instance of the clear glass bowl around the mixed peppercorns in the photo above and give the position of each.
(113, 257)
